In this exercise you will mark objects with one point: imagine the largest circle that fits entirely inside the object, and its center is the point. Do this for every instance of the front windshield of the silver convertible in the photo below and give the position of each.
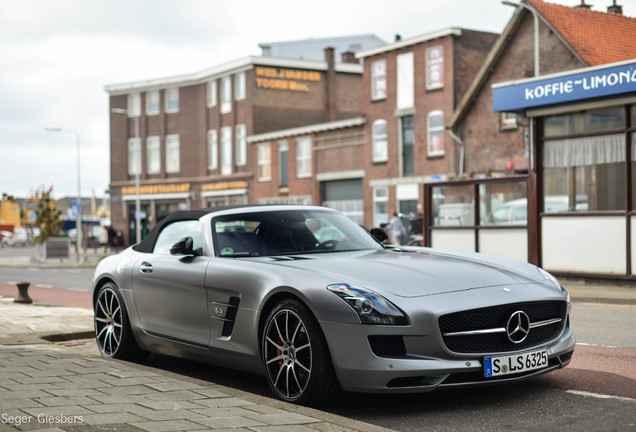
(288, 232)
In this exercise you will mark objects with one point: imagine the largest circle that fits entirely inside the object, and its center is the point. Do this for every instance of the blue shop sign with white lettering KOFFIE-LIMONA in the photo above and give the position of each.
(566, 87)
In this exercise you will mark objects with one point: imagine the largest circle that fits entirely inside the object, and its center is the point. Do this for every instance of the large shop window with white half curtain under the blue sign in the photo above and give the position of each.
(585, 173)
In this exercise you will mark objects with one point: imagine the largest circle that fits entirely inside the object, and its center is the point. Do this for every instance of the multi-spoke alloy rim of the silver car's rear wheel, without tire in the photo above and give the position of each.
(108, 322)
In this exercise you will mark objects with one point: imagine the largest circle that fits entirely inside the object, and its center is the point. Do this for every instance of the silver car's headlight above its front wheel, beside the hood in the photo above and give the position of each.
(372, 308)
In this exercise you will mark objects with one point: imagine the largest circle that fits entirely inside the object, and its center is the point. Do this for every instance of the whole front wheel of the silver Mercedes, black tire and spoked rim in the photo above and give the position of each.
(296, 357)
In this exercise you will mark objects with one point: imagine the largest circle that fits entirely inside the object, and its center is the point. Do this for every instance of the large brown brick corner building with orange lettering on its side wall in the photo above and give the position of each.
(184, 138)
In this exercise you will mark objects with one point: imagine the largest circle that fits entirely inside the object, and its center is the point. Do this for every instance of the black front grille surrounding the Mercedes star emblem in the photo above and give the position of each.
(497, 317)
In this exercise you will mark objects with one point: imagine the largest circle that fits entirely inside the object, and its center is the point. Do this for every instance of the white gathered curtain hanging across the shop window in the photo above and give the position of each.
(596, 150)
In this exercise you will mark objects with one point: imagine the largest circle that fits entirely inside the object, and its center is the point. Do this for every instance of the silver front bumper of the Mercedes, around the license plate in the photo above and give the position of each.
(426, 366)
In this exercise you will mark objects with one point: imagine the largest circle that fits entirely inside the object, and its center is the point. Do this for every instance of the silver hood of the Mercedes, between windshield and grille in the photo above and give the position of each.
(409, 274)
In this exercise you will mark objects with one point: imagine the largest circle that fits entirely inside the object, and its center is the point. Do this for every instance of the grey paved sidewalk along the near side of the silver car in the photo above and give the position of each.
(63, 387)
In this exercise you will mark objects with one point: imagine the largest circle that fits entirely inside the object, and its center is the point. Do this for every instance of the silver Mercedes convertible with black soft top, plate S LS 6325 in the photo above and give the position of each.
(317, 305)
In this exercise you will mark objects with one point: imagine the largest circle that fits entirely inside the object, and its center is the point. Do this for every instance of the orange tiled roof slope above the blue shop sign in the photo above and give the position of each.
(597, 37)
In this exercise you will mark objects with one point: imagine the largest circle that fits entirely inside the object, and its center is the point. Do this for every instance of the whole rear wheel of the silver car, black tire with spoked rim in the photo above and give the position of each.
(112, 328)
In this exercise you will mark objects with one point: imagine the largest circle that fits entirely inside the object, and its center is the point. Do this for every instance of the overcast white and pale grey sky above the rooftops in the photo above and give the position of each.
(57, 56)
